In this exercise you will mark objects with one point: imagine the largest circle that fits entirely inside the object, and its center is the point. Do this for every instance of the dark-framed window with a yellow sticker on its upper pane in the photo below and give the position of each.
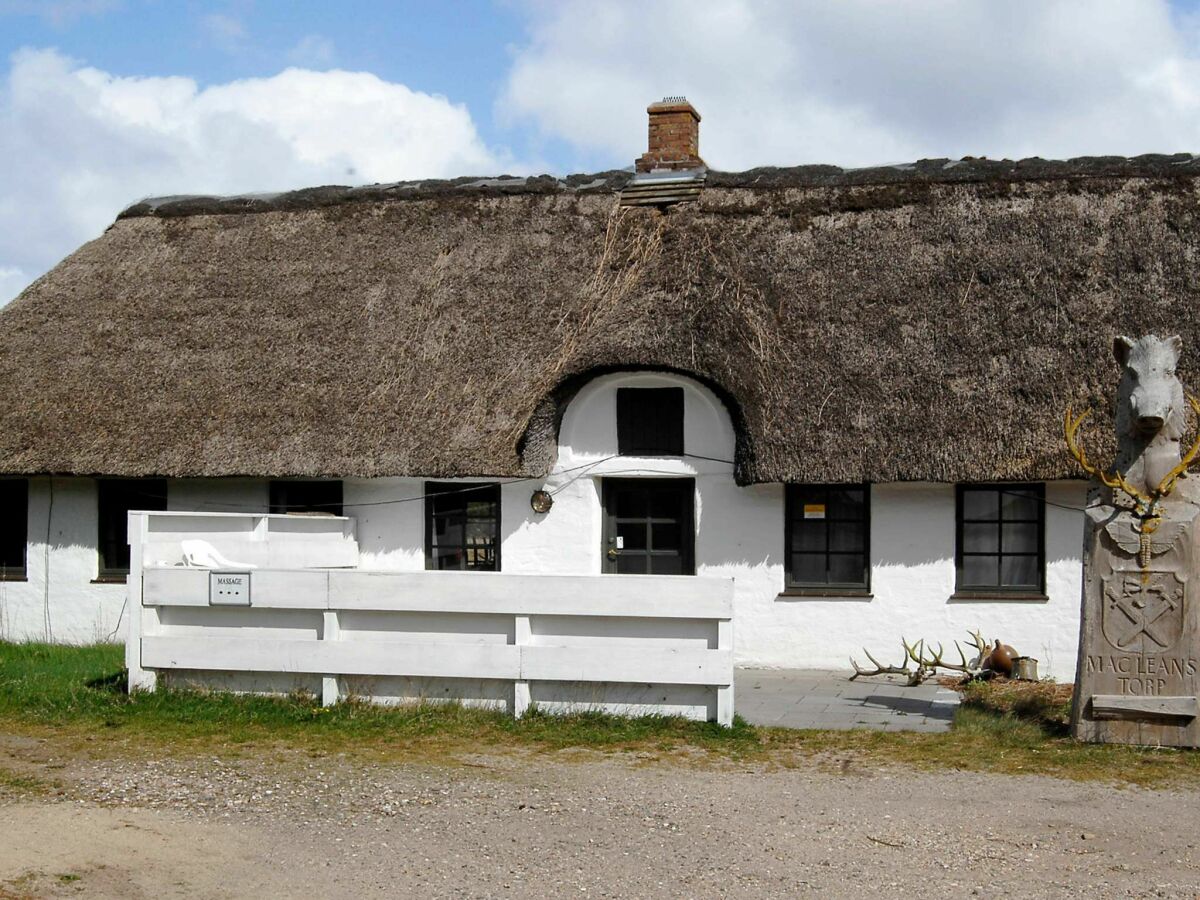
(827, 535)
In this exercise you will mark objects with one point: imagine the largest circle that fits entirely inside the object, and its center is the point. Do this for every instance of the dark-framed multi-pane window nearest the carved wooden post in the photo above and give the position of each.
(1001, 547)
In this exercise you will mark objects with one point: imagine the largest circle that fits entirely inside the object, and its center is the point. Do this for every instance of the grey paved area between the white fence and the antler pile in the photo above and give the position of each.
(821, 699)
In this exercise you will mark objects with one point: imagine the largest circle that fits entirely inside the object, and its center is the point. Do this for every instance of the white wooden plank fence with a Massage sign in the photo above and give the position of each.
(625, 644)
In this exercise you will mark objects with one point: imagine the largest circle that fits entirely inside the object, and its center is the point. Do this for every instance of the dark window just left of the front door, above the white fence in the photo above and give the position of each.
(463, 526)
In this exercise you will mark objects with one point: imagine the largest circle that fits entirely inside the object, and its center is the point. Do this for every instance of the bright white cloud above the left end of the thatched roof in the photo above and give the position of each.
(80, 145)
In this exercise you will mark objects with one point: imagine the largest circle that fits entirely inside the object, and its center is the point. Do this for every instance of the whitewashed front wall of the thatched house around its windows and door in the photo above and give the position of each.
(740, 536)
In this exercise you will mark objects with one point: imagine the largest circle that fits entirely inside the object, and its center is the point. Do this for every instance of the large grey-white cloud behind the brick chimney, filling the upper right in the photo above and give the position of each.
(862, 82)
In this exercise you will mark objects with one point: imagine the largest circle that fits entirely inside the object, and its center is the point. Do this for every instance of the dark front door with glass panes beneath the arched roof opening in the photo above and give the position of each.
(649, 526)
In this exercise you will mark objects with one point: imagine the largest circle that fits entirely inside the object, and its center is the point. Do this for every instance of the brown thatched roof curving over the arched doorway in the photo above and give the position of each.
(910, 323)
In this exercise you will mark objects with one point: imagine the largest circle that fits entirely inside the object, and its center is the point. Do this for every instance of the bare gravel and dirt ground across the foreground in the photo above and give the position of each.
(579, 825)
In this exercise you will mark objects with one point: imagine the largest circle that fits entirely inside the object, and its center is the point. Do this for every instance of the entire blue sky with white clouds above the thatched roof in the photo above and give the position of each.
(105, 103)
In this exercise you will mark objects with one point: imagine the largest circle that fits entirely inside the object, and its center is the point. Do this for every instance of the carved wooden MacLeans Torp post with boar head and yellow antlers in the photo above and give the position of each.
(1137, 682)
